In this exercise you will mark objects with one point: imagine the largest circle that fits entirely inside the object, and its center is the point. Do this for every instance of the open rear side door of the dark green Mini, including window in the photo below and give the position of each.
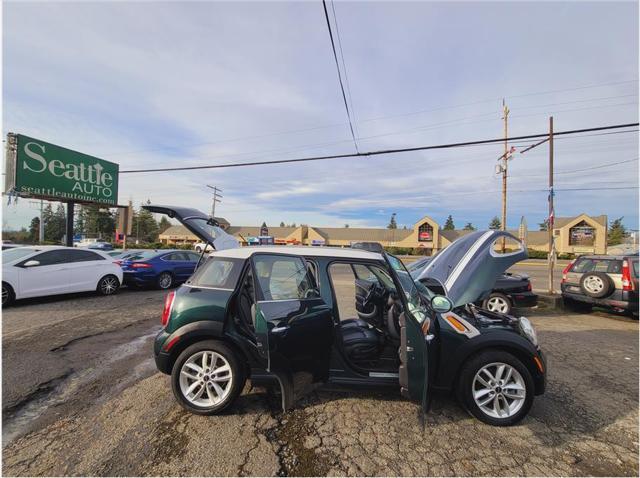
(293, 325)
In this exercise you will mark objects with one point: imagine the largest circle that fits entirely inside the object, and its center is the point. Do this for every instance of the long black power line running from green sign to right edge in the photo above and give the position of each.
(379, 152)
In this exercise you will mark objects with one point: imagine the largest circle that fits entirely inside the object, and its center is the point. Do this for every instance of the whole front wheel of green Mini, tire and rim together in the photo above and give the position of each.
(496, 388)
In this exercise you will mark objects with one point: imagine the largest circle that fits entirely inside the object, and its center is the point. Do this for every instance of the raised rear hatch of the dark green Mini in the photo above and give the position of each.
(199, 223)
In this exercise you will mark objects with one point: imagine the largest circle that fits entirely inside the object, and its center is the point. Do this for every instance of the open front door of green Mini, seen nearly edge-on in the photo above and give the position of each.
(415, 321)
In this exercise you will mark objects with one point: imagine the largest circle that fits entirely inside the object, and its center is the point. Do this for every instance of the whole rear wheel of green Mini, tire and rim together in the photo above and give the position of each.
(207, 377)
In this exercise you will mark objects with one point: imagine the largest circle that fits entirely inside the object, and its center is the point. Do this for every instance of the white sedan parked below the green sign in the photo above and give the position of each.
(37, 271)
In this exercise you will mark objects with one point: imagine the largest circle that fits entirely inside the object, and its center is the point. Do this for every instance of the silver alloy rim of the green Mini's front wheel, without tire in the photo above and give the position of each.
(499, 390)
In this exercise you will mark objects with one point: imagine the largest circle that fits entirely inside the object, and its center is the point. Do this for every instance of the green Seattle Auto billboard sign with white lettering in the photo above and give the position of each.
(43, 170)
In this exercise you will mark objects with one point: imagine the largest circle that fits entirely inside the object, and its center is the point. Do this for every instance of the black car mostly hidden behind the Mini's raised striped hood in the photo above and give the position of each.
(509, 291)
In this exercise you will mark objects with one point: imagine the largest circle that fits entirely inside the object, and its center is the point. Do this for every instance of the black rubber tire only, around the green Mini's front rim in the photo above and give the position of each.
(465, 386)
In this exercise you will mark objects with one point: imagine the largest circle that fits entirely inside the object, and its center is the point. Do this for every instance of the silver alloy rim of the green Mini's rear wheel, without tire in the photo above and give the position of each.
(206, 379)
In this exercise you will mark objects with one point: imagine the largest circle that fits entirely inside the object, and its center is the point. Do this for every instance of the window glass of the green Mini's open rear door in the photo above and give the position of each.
(283, 278)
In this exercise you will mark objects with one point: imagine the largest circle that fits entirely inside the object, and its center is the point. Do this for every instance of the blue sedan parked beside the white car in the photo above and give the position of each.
(160, 268)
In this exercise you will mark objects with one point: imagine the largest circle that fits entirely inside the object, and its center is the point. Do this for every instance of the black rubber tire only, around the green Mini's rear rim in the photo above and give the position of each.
(237, 370)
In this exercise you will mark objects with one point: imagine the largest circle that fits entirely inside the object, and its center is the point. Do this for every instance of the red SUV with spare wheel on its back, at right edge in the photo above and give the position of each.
(607, 281)
